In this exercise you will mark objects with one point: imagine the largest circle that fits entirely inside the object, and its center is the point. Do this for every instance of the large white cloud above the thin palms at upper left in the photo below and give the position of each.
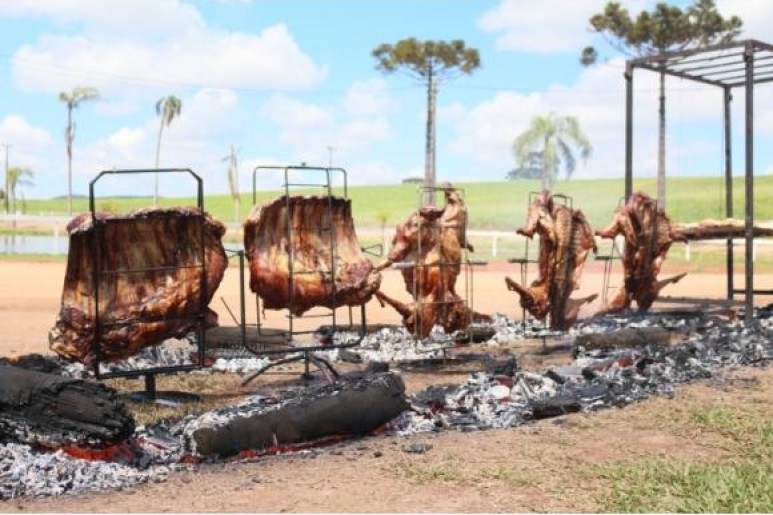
(146, 46)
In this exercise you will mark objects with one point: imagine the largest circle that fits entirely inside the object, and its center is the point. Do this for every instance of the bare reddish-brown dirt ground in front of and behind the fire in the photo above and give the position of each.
(540, 467)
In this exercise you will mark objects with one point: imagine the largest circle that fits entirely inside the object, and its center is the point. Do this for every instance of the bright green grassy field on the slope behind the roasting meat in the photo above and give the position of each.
(491, 205)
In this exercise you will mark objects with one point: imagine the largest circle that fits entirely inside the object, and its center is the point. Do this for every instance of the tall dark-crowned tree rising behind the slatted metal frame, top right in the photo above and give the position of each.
(665, 29)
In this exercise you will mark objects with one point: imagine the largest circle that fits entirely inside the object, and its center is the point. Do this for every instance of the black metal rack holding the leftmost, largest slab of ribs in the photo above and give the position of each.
(198, 318)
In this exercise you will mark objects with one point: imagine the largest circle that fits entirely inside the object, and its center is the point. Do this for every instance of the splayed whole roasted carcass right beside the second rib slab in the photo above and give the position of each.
(430, 245)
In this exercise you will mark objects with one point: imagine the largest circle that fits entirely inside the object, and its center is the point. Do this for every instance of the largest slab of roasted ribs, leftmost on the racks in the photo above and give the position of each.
(152, 281)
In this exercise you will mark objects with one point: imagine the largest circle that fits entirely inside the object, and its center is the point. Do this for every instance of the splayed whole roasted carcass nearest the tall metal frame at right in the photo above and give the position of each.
(648, 235)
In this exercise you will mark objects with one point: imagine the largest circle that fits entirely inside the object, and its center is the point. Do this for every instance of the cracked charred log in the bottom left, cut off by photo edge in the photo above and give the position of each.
(49, 410)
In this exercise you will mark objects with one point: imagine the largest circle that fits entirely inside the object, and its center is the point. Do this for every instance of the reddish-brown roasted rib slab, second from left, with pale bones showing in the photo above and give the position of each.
(303, 252)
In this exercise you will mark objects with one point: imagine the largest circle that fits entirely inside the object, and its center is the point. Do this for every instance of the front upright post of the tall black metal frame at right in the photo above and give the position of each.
(749, 293)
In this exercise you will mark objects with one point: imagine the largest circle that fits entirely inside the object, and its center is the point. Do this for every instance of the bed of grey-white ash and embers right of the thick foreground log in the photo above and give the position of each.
(598, 378)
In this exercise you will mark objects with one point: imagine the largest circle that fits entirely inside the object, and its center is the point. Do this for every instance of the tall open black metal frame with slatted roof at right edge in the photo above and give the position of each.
(730, 65)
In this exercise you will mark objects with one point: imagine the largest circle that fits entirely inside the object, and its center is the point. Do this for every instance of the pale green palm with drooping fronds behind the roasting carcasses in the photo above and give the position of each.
(553, 136)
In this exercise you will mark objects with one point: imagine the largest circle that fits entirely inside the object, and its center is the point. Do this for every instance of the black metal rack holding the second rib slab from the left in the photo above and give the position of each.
(290, 333)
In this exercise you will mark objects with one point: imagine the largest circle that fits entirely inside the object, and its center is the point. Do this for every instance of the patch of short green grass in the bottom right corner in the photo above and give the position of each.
(742, 481)
